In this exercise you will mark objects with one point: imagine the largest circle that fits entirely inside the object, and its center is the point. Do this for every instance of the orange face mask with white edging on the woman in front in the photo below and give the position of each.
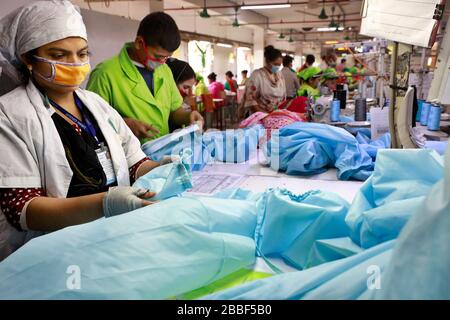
(65, 73)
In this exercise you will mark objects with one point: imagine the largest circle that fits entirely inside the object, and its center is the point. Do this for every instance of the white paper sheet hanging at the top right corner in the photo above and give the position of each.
(406, 21)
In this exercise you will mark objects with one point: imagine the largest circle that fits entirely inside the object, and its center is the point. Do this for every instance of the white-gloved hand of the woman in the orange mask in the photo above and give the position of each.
(123, 199)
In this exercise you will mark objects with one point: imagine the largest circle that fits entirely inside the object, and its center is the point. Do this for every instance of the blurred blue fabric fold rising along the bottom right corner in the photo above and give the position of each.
(420, 264)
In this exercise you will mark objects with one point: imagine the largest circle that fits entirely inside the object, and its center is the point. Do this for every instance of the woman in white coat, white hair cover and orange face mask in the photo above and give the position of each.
(67, 157)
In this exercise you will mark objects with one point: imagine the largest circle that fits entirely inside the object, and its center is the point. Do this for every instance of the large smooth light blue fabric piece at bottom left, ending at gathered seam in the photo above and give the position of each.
(155, 252)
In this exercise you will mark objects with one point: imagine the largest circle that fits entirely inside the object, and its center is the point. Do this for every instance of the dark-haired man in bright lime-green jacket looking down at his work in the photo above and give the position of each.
(138, 83)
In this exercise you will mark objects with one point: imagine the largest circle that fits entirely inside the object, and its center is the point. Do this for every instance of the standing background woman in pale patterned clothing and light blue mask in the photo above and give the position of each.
(265, 90)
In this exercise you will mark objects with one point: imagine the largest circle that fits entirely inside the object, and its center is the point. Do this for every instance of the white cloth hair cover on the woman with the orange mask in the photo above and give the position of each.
(31, 27)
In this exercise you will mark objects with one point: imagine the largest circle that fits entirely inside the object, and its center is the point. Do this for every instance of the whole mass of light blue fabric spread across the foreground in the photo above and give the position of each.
(184, 243)
